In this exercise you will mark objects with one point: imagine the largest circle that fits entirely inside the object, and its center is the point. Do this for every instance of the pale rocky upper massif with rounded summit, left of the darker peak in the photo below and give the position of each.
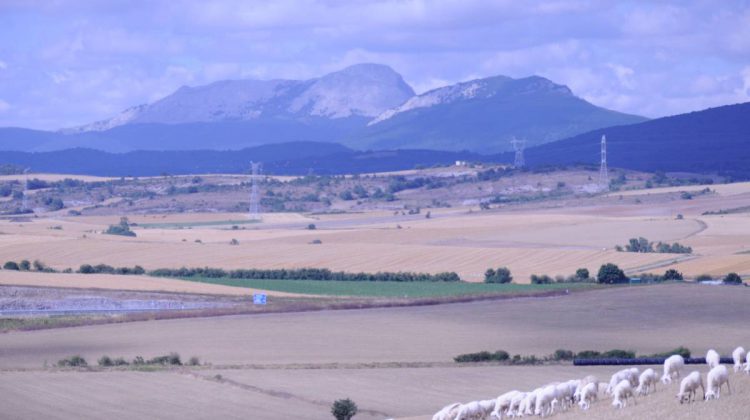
(362, 90)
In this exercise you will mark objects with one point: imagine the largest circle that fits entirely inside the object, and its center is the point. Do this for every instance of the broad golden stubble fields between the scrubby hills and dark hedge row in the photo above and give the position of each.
(553, 241)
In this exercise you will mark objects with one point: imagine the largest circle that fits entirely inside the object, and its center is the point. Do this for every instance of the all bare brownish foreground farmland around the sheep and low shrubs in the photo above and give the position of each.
(300, 362)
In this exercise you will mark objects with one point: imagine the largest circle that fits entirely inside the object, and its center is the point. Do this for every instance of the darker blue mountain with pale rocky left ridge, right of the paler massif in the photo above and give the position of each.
(484, 115)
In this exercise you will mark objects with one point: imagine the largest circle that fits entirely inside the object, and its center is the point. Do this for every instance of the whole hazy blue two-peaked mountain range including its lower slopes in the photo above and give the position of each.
(365, 106)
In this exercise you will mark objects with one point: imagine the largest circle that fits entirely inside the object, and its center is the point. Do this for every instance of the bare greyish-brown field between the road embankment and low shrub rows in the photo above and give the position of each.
(647, 319)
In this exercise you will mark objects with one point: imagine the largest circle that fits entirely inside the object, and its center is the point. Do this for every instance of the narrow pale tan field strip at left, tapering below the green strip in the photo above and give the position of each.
(117, 282)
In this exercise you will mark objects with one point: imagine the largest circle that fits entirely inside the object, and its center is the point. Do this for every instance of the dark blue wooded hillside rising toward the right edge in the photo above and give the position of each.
(715, 140)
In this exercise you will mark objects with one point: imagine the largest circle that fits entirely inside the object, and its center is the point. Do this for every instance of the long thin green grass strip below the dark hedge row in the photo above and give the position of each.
(390, 289)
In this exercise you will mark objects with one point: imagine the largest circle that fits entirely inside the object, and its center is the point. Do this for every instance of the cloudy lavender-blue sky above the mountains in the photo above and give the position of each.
(69, 62)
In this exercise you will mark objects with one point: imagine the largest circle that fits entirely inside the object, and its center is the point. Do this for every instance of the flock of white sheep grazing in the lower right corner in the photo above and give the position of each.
(623, 386)
